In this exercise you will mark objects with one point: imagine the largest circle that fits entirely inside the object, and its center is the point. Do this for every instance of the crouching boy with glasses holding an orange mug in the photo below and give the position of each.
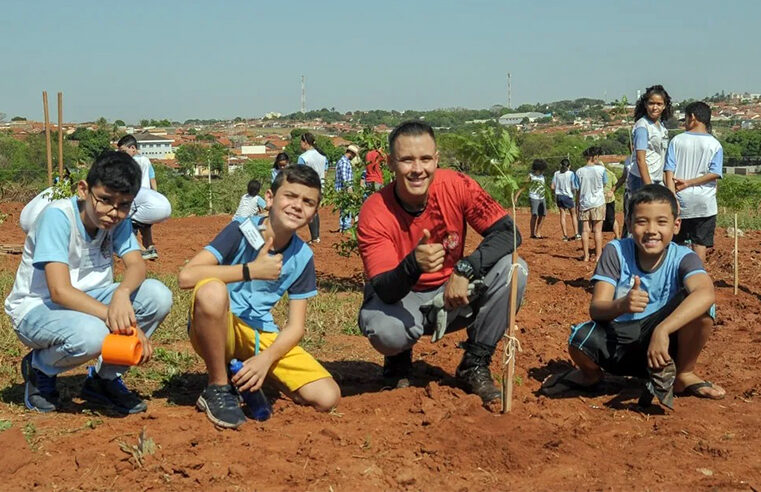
(64, 300)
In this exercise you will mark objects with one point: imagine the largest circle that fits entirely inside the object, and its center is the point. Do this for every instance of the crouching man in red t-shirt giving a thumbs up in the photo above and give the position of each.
(411, 239)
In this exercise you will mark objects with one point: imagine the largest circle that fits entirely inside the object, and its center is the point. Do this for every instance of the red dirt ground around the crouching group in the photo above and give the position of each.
(432, 437)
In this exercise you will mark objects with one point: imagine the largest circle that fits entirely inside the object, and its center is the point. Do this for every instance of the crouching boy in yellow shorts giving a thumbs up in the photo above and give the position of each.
(237, 280)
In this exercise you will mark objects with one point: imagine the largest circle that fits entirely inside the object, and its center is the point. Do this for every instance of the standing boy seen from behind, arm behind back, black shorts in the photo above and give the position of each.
(693, 165)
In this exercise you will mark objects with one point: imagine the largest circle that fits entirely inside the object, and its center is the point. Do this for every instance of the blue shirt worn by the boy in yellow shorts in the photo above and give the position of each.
(253, 301)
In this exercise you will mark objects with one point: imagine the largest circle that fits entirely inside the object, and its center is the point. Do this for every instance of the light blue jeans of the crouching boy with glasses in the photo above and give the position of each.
(62, 339)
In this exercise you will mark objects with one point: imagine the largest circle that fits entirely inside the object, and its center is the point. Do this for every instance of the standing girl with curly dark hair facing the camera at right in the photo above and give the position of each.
(650, 137)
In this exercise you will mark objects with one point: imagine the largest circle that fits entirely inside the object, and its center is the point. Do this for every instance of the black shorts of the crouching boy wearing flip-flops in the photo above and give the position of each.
(621, 347)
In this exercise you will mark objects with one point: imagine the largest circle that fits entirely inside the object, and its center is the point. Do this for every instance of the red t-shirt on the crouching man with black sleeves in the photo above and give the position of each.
(387, 233)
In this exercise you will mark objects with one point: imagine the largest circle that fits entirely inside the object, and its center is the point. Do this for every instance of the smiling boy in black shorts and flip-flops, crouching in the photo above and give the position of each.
(652, 305)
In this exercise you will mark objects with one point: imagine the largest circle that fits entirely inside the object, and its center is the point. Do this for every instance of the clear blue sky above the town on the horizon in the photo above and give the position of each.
(192, 59)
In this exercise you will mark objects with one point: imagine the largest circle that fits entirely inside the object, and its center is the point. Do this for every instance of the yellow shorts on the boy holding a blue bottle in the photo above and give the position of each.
(295, 369)
